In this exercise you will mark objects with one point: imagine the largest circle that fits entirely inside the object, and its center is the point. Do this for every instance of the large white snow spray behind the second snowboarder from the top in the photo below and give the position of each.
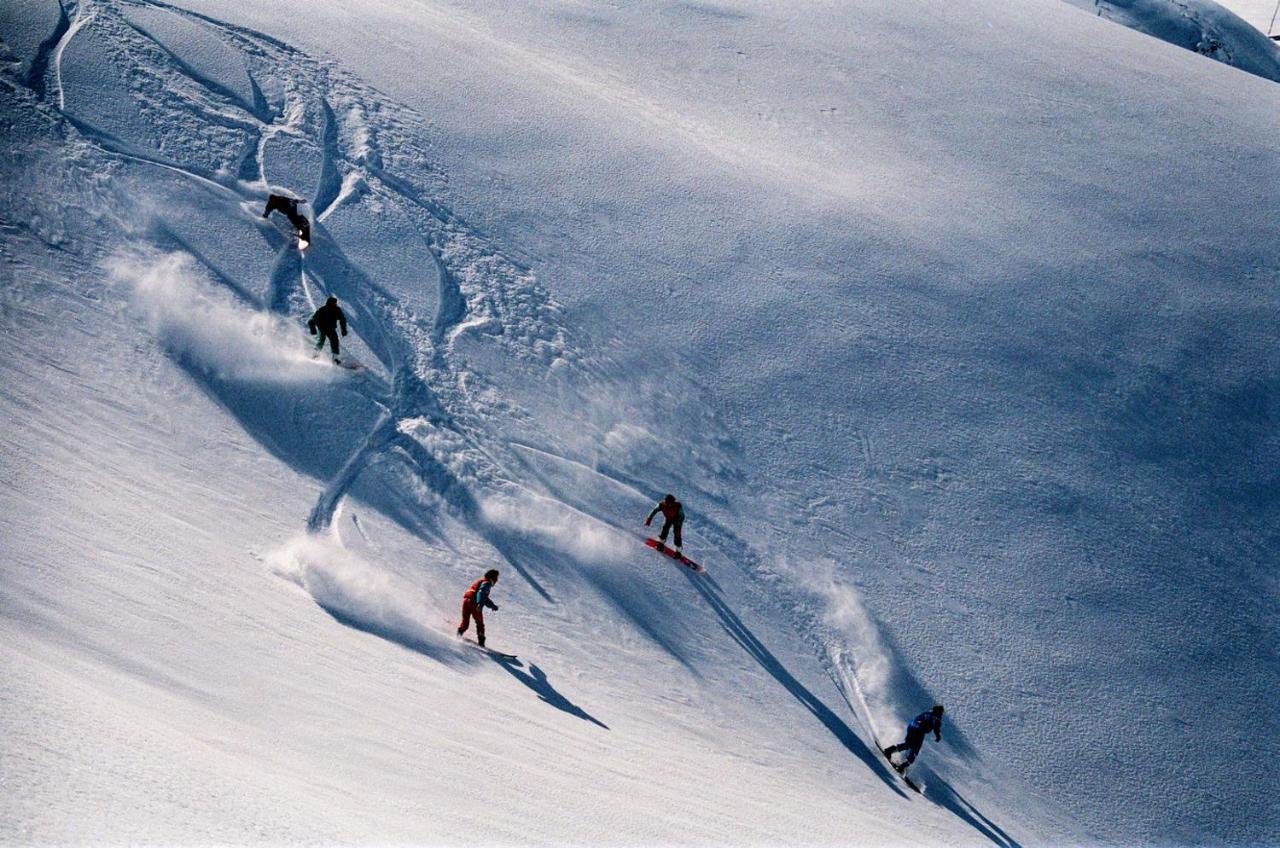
(205, 327)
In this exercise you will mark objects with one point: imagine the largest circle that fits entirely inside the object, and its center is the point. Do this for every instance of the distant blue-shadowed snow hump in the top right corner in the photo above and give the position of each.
(1201, 26)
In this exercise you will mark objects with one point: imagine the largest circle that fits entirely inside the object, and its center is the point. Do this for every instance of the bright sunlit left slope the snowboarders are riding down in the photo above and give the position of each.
(147, 646)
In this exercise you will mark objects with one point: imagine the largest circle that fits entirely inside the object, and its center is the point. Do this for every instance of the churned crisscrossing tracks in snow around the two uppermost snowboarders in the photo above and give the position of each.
(314, 138)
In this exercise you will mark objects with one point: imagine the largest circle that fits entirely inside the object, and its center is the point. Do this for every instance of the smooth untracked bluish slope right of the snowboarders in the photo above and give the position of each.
(1085, 224)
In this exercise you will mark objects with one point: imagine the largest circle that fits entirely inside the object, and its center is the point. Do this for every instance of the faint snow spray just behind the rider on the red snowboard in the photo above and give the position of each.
(557, 526)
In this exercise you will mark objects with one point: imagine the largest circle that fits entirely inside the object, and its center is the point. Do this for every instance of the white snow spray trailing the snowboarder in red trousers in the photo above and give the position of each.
(362, 596)
